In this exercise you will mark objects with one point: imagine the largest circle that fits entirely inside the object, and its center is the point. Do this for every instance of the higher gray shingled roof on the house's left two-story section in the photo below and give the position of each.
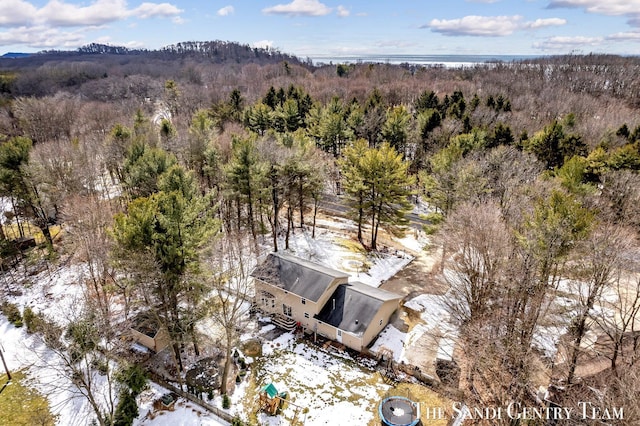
(298, 276)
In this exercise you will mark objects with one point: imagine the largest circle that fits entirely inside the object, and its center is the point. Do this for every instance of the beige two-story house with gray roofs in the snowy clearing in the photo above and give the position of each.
(297, 292)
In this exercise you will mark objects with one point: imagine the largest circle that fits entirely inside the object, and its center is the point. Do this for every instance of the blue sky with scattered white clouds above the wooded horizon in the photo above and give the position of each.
(328, 27)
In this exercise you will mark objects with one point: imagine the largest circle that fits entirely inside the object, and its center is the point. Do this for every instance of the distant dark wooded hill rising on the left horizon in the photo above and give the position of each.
(48, 72)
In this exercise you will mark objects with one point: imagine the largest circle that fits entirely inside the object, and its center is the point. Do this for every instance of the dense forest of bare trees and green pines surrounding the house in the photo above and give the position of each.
(153, 163)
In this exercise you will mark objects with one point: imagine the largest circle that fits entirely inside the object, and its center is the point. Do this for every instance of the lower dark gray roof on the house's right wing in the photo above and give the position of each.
(353, 306)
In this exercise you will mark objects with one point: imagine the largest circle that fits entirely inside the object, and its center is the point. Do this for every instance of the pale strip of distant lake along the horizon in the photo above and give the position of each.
(444, 60)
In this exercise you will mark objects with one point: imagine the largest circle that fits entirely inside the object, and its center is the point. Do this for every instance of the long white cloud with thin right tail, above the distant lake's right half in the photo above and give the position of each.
(488, 26)
